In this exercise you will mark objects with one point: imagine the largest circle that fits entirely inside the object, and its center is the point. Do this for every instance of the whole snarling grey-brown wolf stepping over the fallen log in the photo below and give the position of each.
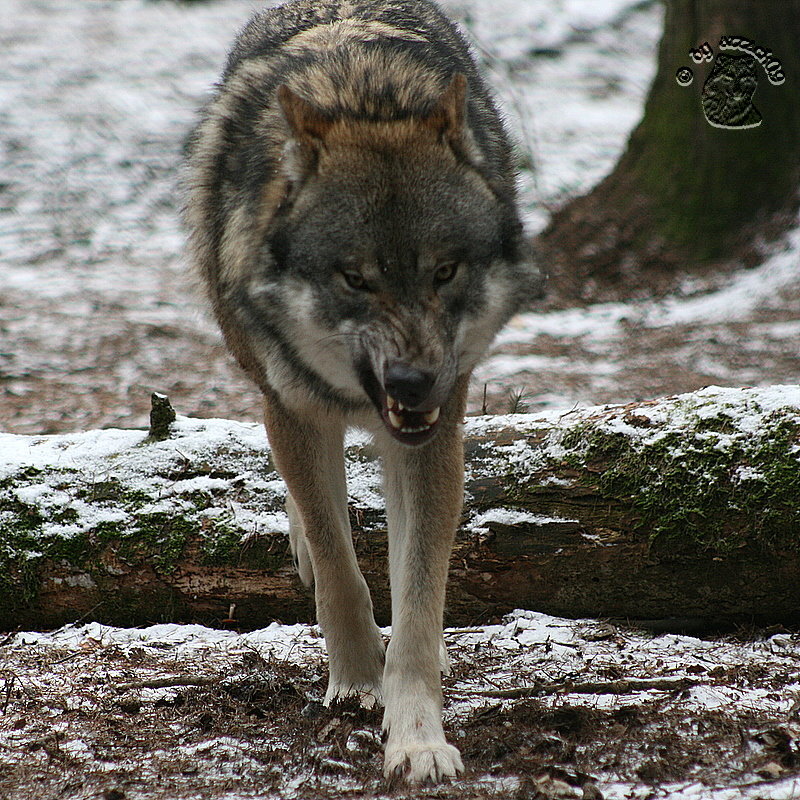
(351, 210)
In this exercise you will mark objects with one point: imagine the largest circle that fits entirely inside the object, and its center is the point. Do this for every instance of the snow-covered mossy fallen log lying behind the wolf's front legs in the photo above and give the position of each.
(684, 509)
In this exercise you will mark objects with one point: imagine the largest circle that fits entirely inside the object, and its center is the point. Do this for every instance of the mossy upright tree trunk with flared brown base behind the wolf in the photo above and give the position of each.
(688, 194)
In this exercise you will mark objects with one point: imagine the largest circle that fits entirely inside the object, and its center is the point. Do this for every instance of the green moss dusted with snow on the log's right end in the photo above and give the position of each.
(706, 484)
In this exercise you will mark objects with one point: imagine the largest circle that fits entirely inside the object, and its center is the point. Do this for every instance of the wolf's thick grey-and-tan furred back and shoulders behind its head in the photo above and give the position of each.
(366, 61)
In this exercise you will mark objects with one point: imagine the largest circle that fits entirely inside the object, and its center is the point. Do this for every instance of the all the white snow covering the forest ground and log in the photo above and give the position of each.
(90, 207)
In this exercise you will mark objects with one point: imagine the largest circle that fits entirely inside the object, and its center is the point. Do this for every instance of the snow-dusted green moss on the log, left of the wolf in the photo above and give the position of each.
(130, 522)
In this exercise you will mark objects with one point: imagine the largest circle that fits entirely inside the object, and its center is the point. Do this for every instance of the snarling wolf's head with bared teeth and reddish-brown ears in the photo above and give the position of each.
(399, 255)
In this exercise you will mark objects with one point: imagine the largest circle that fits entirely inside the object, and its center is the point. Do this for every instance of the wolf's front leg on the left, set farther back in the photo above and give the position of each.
(309, 453)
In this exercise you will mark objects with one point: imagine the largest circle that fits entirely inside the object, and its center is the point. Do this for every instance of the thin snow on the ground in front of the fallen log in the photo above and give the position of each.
(527, 649)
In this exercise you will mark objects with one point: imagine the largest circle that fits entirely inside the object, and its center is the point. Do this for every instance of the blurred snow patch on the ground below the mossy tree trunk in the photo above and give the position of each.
(598, 336)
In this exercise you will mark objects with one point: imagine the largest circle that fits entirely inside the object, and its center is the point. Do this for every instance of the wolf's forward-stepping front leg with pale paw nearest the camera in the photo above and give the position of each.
(424, 489)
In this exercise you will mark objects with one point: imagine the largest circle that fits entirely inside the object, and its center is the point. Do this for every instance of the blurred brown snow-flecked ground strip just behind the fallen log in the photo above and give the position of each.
(97, 369)
